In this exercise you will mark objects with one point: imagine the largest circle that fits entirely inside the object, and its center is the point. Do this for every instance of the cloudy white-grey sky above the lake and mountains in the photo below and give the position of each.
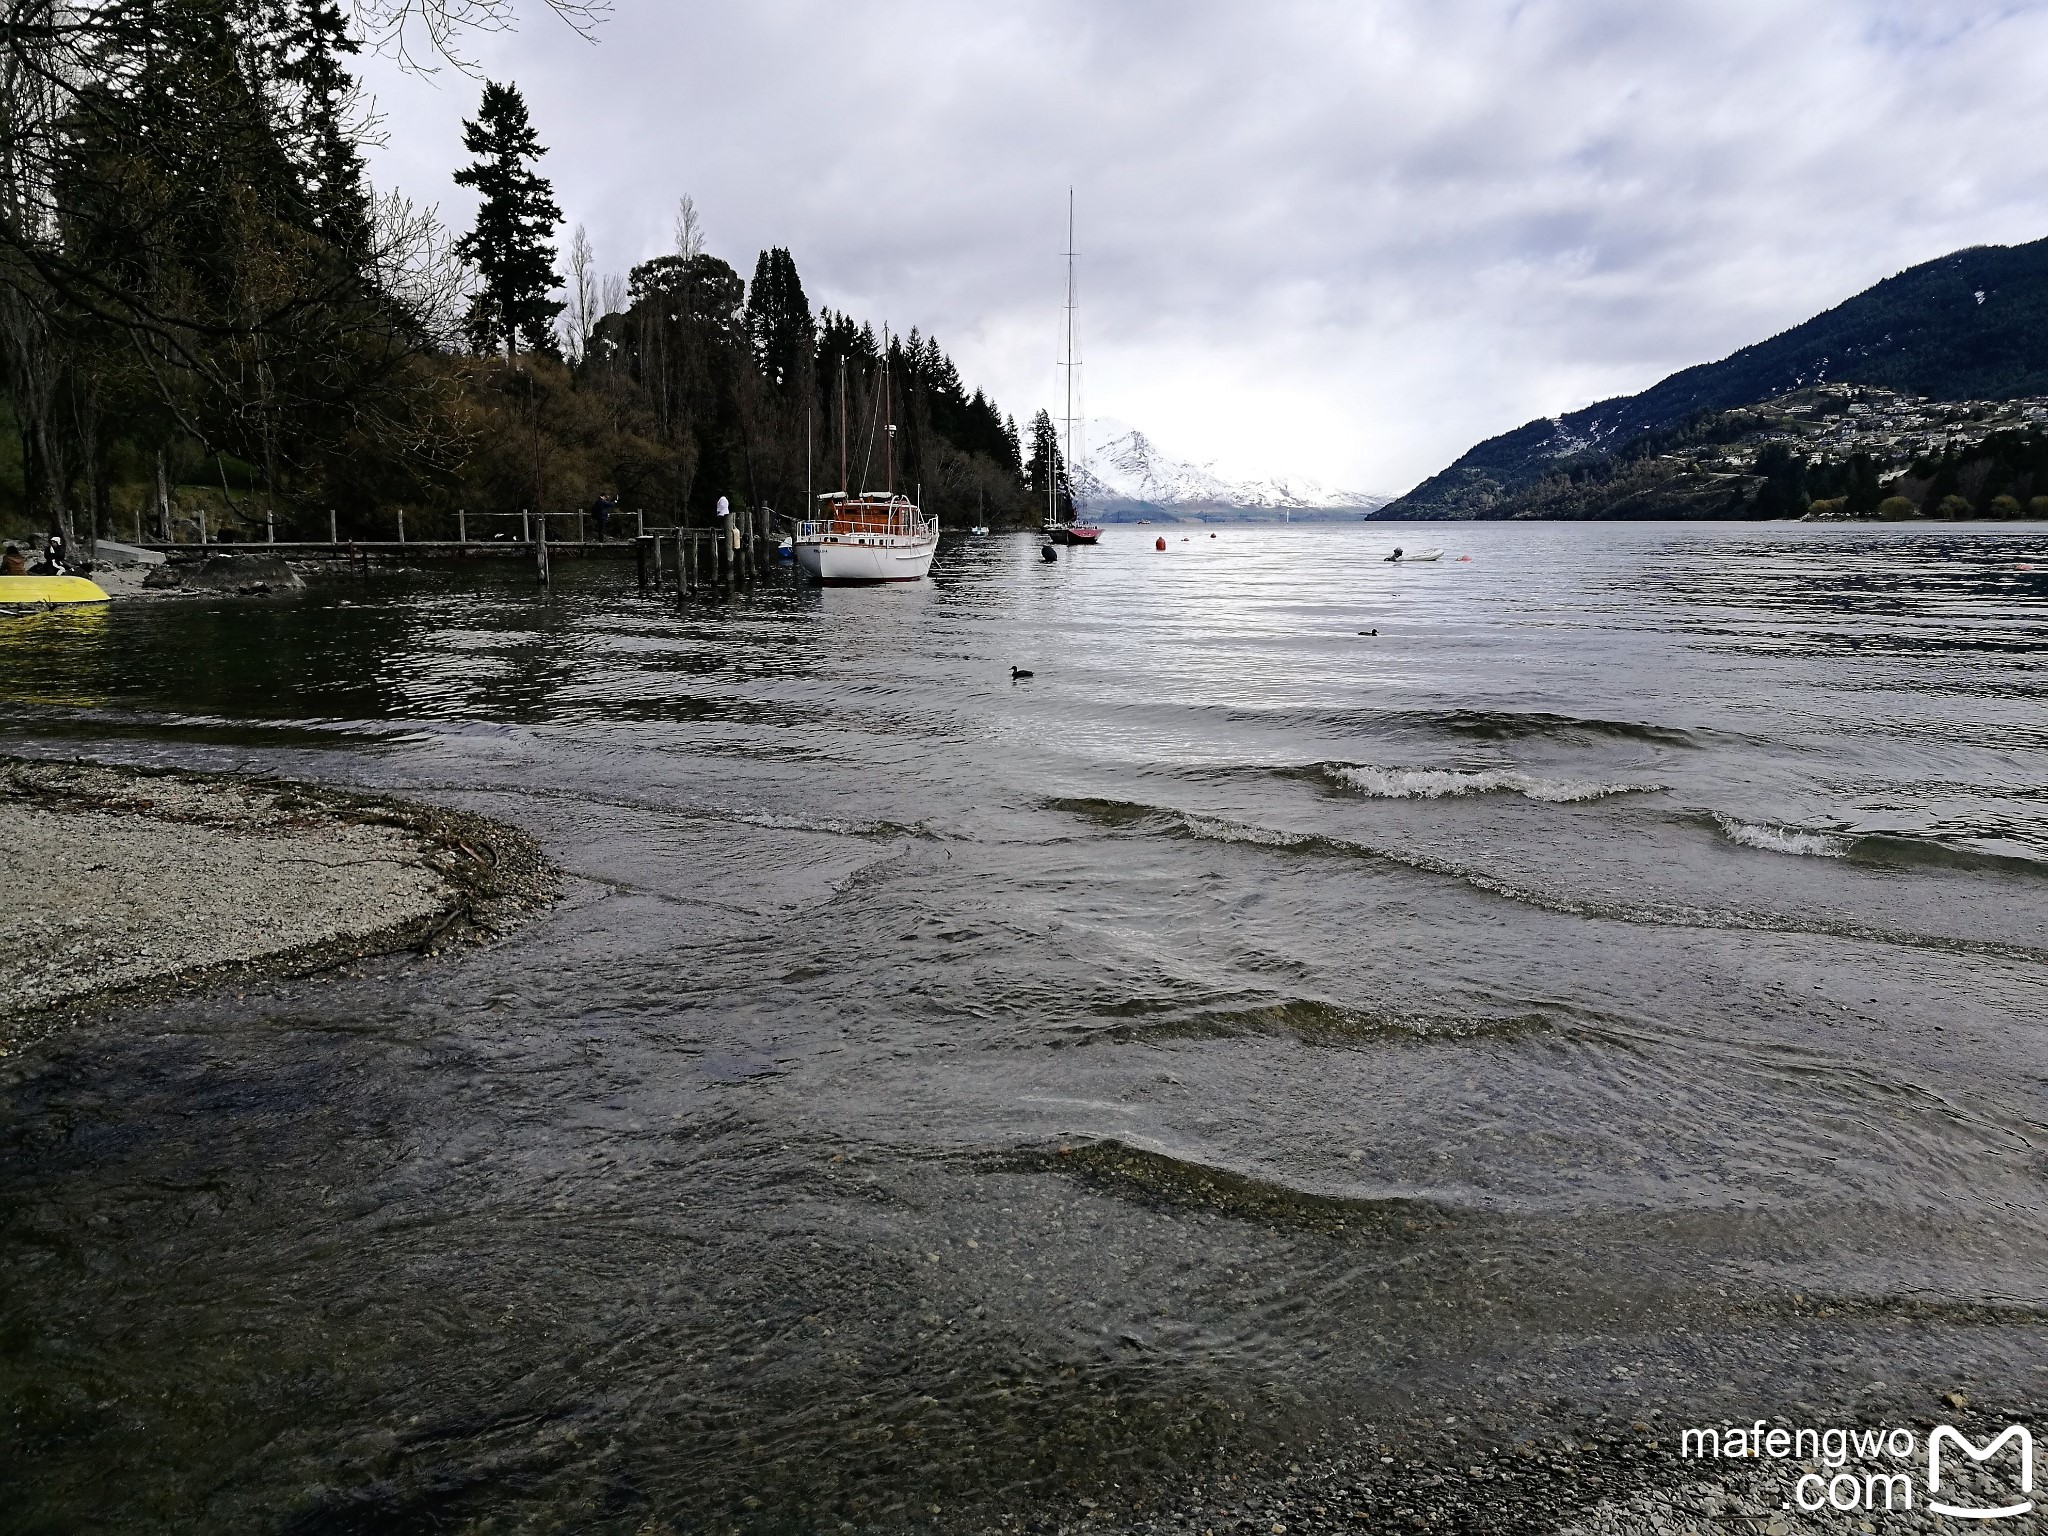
(1324, 239)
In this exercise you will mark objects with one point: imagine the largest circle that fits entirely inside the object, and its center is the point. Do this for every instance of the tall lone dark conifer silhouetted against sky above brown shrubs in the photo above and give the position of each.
(513, 239)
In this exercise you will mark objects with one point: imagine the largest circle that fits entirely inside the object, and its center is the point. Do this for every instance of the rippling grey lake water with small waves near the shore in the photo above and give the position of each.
(1615, 988)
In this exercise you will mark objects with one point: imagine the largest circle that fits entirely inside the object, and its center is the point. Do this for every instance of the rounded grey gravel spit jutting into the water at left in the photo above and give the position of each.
(132, 884)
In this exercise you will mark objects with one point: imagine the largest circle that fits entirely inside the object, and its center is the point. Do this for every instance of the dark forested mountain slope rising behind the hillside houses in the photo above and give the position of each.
(1971, 327)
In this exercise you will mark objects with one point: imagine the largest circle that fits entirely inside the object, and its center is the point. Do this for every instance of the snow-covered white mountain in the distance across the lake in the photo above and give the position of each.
(1125, 478)
